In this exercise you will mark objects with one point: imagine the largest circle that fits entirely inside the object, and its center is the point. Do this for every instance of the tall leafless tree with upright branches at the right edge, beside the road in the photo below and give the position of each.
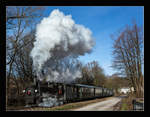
(128, 56)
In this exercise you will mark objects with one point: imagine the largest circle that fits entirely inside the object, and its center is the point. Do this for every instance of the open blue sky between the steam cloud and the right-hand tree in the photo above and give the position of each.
(102, 21)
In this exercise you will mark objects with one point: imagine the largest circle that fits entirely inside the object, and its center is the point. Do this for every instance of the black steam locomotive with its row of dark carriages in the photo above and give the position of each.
(62, 93)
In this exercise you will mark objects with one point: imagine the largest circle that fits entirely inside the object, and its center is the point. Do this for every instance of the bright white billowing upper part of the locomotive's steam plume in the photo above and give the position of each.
(57, 37)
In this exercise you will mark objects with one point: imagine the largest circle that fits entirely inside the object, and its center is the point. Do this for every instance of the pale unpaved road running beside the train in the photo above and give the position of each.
(107, 105)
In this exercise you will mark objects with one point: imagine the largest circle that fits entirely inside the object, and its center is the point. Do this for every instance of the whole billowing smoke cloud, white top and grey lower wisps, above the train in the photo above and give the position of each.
(59, 39)
